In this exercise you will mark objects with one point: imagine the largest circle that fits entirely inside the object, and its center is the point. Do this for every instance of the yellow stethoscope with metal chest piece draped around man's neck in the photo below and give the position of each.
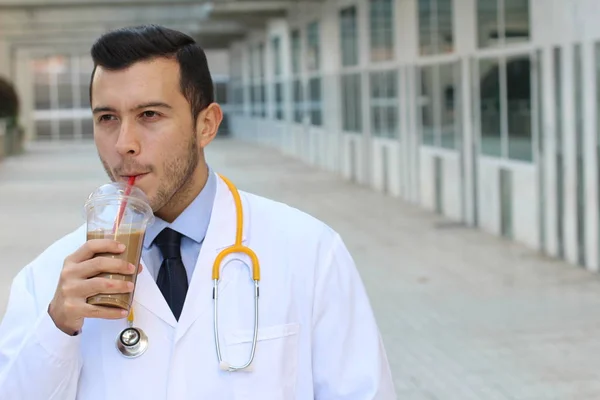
(132, 341)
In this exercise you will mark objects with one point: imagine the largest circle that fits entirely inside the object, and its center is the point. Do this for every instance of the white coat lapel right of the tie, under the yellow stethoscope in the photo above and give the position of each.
(220, 234)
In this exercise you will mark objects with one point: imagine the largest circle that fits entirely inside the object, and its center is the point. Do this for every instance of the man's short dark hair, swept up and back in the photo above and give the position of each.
(121, 48)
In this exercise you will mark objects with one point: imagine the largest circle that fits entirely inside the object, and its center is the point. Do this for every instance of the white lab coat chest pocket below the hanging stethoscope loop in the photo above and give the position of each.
(272, 374)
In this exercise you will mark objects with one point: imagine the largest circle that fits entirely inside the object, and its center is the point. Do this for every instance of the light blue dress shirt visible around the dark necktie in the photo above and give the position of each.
(192, 223)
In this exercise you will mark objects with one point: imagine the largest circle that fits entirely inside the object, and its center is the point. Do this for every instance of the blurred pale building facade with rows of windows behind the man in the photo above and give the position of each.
(485, 111)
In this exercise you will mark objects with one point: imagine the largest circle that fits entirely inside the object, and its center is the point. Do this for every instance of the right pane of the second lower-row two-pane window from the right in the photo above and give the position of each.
(447, 97)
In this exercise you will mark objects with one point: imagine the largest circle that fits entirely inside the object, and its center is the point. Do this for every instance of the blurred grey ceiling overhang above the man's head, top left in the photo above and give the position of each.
(61, 23)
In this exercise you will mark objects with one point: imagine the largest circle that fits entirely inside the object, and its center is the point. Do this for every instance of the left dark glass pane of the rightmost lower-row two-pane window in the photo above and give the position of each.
(489, 89)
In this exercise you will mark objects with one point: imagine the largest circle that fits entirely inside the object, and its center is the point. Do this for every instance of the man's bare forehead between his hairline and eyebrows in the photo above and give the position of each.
(157, 79)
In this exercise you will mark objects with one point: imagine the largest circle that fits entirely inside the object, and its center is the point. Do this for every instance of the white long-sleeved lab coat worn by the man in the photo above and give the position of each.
(317, 338)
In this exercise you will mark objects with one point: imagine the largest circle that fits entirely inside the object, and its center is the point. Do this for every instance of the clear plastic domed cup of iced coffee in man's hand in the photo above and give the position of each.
(108, 219)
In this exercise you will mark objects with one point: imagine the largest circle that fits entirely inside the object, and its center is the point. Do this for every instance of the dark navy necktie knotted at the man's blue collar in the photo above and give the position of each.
(172, 278)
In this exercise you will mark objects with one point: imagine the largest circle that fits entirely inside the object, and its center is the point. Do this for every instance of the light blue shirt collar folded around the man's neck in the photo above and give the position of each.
(193, 221)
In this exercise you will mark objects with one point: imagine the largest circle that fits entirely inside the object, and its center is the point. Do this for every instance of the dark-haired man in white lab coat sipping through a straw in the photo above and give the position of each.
(154, 113)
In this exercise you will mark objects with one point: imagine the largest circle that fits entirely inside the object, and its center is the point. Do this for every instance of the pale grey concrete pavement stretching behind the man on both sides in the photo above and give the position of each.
(464, 315)
